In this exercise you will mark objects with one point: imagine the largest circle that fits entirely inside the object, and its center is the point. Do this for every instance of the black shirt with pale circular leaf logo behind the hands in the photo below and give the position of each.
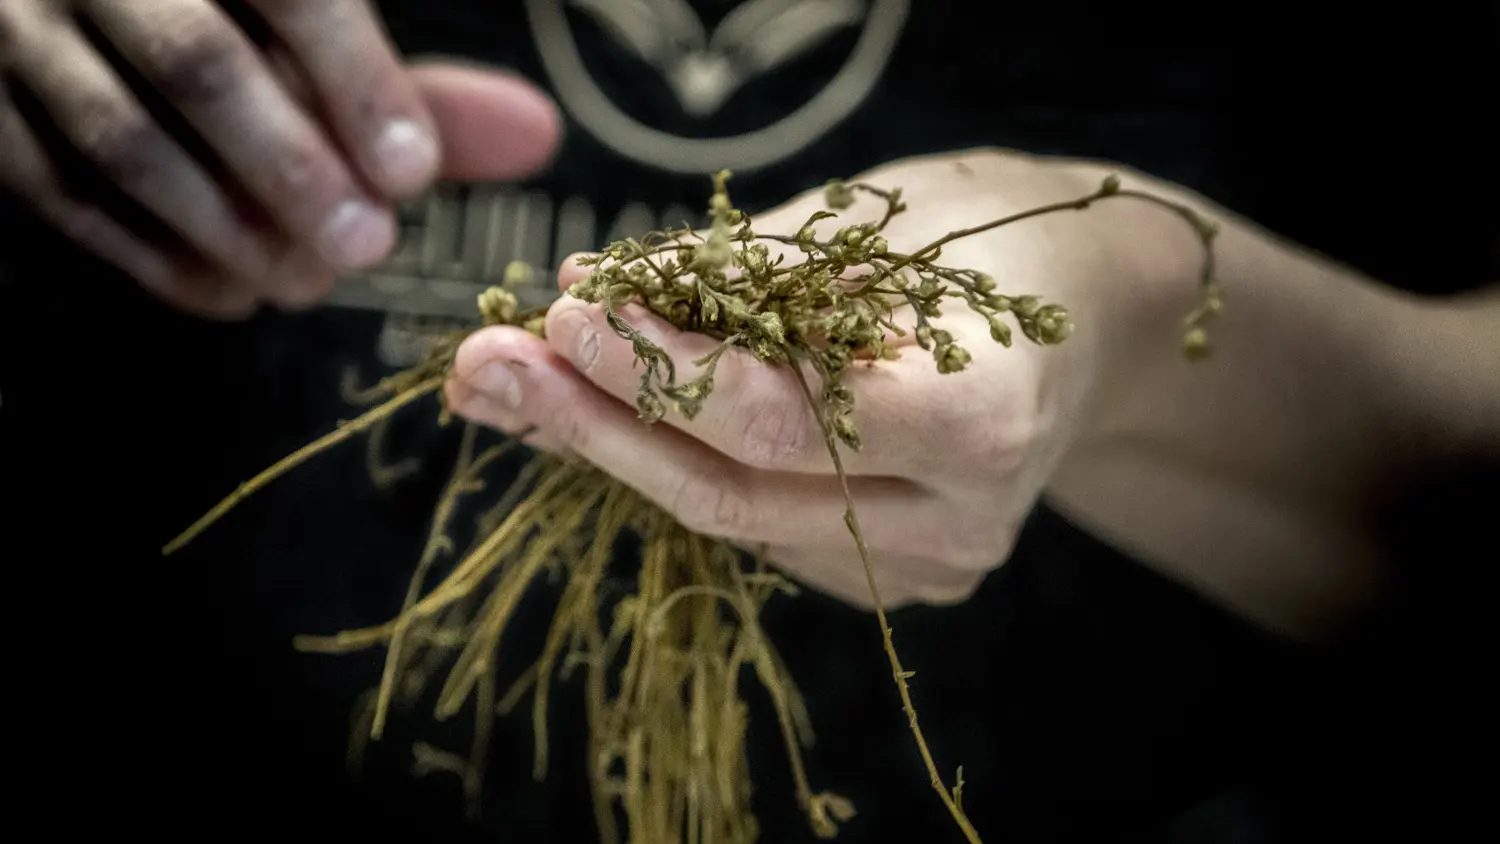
(1081, 692)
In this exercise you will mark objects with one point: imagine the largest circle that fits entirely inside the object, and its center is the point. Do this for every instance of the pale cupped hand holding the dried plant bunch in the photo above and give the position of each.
(950, 464)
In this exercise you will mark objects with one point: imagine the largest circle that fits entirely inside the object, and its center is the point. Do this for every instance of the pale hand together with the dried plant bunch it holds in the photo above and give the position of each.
(851, 305)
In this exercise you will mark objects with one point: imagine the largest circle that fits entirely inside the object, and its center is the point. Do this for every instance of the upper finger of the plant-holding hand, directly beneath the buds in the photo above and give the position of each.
(913, 421)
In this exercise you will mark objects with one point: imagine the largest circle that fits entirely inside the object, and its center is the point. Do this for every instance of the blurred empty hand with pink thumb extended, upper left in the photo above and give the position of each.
(269, 169)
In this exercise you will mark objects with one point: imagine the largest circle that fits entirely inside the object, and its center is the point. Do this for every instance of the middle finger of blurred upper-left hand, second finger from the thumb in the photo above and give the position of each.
(214, 76)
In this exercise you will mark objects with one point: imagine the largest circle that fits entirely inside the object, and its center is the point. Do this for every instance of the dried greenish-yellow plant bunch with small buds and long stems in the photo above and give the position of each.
(662, 663)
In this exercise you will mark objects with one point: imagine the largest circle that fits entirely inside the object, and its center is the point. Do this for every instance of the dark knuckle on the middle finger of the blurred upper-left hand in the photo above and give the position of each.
(196, 61)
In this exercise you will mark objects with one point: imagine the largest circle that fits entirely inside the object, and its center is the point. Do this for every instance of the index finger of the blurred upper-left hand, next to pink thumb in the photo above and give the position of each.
(362, 88)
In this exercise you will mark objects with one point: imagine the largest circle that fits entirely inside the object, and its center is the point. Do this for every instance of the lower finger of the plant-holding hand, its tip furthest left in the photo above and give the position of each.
(704, 491)
